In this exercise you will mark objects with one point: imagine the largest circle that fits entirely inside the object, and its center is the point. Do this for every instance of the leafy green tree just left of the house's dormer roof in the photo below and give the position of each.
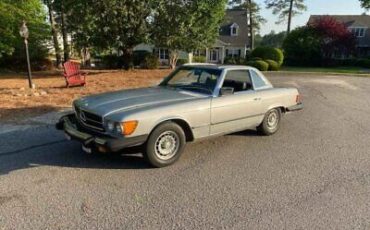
(186, 25)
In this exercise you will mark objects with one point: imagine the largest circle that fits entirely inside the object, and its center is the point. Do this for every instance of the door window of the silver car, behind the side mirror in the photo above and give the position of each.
(238, 79)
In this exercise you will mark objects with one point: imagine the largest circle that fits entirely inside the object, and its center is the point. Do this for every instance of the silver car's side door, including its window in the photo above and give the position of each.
(239, 110)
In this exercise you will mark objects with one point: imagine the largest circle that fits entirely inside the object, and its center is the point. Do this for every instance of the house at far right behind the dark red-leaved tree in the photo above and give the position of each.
(359, 25)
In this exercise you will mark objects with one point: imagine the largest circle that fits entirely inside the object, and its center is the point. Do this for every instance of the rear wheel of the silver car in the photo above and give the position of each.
(270, 123)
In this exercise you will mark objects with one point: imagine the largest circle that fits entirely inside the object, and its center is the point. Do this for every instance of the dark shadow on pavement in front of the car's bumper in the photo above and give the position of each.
(69, 155)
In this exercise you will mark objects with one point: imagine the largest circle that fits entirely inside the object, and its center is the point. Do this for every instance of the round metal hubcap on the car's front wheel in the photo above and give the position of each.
(166, 145)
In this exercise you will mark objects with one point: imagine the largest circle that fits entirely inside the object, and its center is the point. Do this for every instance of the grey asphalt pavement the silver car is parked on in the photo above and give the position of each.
(313, 174)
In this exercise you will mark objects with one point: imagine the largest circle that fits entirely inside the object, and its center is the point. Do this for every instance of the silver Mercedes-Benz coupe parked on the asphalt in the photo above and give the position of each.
(194, 102)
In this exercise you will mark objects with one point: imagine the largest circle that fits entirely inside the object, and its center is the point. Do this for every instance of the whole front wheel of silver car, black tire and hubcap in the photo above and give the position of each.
(165, 145)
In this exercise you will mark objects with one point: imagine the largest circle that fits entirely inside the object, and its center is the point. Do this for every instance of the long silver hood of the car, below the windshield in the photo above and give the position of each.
(119, 101)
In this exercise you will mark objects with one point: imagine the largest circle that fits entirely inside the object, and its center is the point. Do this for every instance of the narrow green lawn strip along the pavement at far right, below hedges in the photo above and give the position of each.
(335, 70)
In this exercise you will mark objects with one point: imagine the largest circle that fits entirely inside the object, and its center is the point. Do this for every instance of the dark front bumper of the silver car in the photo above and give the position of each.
(93, 140)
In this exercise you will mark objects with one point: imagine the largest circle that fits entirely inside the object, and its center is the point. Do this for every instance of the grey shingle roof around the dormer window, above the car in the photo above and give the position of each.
(239, 17)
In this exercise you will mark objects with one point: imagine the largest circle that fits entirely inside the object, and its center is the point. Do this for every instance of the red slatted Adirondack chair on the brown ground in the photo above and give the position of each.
(73, 75)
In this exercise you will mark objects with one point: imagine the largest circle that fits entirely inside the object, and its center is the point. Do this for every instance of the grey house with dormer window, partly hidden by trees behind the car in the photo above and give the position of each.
(232, 41)
